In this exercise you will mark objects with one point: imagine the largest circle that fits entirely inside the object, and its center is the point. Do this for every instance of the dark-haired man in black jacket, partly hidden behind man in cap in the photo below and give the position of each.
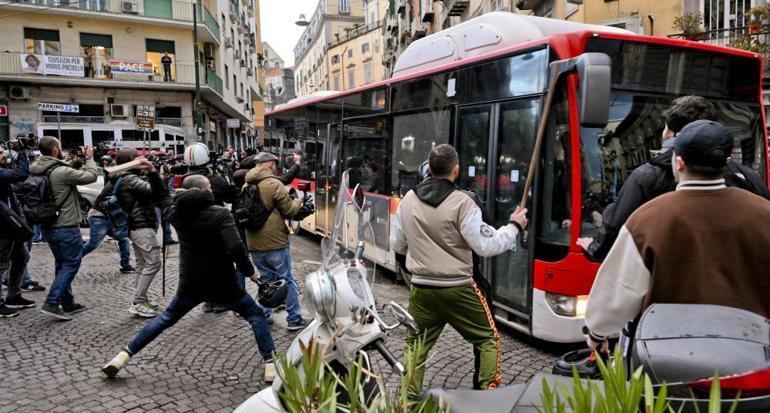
(656, 177)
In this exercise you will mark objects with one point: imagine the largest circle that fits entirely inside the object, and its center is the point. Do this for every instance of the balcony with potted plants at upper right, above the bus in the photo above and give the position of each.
(754, 39)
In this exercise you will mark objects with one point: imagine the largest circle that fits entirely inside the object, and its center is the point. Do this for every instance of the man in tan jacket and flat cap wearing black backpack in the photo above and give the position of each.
(269, 246)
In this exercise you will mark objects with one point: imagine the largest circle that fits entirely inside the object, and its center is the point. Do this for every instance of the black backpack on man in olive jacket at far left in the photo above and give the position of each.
(37, 201)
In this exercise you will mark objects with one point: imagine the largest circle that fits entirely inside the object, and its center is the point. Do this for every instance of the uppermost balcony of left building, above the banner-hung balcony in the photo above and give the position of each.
(177, 13)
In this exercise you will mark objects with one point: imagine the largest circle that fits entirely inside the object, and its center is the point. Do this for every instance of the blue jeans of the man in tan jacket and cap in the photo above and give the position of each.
(274, 265)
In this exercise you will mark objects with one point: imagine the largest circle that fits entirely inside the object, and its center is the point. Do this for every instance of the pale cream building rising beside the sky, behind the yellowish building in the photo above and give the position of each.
(331, 17)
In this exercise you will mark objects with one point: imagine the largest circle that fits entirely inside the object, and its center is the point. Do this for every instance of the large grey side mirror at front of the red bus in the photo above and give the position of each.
(595, 74)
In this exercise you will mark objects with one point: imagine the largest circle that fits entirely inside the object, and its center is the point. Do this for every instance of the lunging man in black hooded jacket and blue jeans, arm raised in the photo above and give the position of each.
(209, 244)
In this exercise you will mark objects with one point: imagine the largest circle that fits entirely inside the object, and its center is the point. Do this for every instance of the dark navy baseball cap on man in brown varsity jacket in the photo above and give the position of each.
(704, 144)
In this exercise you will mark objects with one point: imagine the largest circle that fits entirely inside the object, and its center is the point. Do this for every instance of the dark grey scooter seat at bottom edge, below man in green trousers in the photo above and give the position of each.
(479, 401)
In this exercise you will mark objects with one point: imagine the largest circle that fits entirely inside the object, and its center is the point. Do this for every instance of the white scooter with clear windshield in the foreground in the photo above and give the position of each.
(346, 321)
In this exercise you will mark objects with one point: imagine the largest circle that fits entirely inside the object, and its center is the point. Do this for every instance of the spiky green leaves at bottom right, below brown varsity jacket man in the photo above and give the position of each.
(616, 394)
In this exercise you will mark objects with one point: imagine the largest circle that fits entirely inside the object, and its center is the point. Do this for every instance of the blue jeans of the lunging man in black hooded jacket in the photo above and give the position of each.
(246, 307)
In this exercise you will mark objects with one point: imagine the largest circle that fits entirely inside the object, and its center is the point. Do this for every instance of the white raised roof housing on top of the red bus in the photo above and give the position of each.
(483, 34)
